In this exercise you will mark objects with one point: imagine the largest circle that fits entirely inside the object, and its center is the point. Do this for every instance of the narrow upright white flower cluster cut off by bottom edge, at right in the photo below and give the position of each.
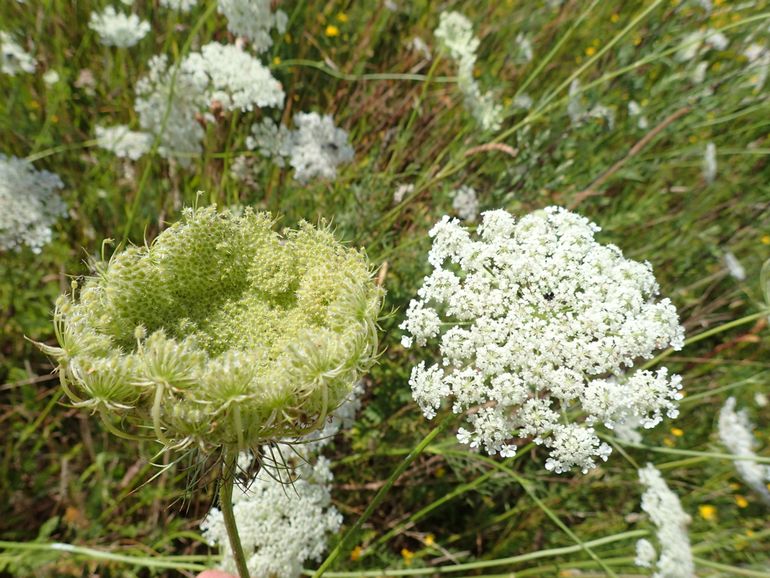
(666, 512)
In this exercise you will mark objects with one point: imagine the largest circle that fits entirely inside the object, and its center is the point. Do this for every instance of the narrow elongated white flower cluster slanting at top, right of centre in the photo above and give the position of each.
(455, 32)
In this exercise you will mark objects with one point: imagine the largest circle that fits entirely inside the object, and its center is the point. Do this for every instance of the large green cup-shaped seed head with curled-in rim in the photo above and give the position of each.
(222, 332)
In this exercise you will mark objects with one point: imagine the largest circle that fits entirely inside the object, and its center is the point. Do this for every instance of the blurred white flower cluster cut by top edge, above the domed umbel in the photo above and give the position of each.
(253, 20)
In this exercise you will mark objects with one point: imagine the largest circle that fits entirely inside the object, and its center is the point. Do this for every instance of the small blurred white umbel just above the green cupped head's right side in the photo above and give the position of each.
(317, 147)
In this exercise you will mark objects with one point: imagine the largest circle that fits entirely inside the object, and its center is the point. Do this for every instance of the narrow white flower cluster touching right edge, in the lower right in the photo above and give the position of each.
(736, 433)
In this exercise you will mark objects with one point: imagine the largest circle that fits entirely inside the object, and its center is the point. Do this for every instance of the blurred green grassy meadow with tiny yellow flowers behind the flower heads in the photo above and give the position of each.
(64, 479)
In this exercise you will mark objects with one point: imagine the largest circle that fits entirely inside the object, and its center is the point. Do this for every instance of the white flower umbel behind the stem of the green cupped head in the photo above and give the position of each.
(284, 518)
